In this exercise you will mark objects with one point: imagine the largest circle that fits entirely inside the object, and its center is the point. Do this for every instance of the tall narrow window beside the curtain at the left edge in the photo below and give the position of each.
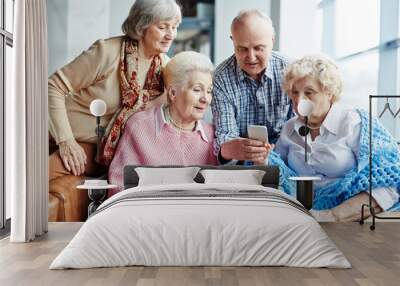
(6, 44)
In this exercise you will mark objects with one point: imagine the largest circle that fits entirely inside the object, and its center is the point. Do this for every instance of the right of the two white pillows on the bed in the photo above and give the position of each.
(249, 177)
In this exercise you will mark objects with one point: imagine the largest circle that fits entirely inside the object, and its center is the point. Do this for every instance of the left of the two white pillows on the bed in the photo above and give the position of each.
(165, 176)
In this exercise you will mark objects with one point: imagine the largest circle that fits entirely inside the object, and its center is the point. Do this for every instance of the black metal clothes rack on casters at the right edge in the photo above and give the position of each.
(369, 205)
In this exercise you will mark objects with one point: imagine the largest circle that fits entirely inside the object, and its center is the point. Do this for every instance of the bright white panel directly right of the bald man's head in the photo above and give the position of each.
(298, 28)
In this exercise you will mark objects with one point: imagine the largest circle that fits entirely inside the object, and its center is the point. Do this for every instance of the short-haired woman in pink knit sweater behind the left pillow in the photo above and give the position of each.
(171, 134)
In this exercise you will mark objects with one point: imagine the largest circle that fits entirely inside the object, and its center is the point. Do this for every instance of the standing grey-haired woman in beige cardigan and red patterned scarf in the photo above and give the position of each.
(123, 71)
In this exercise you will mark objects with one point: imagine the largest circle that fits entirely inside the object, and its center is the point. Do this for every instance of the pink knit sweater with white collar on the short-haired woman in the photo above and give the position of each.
(149, 140)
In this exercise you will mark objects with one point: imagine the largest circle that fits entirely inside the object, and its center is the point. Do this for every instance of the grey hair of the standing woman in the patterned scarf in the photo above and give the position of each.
(143, 13)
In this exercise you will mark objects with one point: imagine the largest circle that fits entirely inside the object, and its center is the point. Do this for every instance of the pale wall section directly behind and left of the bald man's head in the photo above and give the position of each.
(225, 11)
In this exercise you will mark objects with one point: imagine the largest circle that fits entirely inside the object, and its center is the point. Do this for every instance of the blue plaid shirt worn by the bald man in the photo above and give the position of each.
(238, 100)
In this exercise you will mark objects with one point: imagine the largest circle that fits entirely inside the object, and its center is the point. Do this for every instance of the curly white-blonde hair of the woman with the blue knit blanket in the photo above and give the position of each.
(319, 67)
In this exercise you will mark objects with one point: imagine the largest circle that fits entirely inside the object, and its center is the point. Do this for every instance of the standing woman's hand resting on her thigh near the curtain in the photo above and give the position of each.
(73, 156)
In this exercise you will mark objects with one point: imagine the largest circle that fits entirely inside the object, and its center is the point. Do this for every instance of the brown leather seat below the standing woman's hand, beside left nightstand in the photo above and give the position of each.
(66, 203)
